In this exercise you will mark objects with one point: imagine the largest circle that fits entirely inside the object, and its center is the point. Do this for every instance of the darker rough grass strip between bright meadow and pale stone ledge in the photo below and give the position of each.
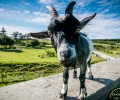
(22, 72)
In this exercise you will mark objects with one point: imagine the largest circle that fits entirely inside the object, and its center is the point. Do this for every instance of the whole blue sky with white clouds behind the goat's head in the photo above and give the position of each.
(27, 16)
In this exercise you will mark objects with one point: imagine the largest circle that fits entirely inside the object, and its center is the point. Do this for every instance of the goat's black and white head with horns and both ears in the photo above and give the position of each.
(64, 32)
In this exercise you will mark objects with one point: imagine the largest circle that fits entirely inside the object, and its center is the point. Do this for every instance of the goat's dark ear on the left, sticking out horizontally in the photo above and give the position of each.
(40, 35)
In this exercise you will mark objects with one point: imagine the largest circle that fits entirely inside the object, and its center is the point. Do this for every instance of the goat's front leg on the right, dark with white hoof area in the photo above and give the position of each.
(83, 92)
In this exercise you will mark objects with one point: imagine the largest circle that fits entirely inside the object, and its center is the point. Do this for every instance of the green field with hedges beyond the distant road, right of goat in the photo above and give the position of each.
(110, 47)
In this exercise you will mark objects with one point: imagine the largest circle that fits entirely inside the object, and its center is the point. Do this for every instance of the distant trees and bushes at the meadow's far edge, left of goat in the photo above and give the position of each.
(18, 39)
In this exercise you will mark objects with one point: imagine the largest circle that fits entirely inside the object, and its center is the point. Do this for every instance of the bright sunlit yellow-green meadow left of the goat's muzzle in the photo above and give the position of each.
(26, 56)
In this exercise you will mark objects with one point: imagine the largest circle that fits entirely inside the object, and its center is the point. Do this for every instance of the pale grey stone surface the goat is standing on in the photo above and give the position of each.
(105, 76)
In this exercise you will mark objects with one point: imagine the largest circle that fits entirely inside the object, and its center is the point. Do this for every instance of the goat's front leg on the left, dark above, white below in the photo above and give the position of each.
(64, 90)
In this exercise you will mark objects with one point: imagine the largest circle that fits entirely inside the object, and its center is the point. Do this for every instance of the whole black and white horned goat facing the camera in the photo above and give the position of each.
(73, 48)
